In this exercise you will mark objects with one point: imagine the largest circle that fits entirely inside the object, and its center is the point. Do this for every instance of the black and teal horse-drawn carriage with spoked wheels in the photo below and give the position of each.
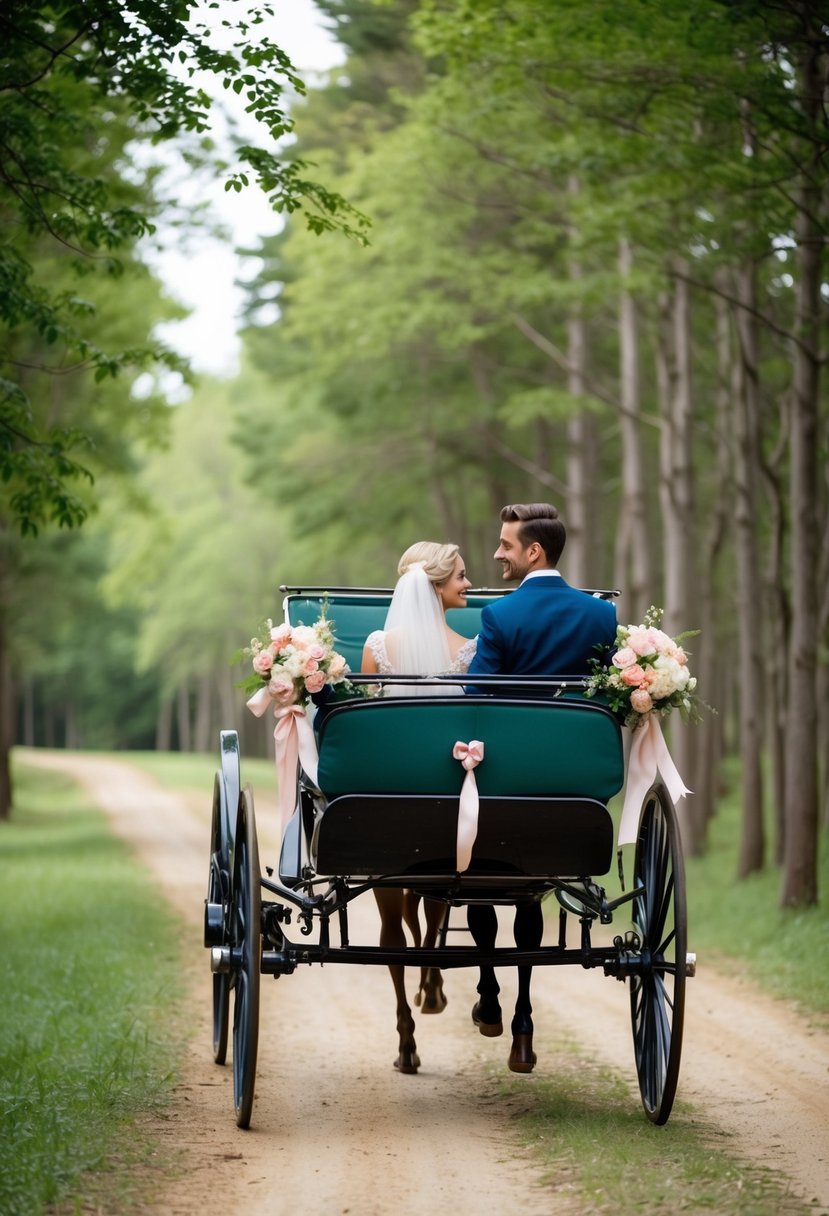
(385, 810)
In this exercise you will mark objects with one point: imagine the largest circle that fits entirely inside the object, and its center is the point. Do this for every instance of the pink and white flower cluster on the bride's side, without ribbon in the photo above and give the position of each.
(294, 662)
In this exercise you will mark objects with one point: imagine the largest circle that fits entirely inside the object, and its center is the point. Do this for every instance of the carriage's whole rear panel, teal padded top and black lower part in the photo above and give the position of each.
(393, 789)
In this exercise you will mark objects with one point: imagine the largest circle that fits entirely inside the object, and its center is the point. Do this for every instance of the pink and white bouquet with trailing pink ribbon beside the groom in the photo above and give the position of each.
(646, 679)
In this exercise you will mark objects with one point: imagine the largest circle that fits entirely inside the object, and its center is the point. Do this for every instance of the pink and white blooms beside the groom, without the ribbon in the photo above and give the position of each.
(648, 673)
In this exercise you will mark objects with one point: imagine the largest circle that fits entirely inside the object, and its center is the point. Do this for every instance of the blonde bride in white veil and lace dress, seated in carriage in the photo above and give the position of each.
(416, 639)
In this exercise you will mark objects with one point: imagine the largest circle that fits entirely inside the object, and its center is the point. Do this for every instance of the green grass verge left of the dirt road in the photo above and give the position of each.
(88, 1007)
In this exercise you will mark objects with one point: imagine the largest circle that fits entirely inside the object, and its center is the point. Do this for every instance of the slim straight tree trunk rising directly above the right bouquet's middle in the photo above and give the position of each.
(633, 558)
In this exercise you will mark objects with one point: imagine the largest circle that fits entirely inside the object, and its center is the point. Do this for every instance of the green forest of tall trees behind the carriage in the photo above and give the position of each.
(533, 250)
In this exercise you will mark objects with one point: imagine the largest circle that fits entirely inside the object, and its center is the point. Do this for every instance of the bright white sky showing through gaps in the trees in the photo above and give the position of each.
(201, 273)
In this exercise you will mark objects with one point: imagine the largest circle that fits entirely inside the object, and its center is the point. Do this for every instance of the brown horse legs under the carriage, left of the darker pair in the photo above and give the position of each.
(398, 907)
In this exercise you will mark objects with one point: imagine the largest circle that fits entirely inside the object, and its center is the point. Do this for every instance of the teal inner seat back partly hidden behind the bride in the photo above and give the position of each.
(356, 616)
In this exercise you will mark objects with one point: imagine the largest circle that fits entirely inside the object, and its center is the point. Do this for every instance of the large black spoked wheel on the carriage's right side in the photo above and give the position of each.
(658, 993)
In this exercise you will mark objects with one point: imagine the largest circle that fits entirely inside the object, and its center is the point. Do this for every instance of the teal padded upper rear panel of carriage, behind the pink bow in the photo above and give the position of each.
(569, 747)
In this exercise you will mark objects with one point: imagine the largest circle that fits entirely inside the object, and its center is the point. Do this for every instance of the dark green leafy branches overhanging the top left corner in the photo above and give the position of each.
(81, 82)
